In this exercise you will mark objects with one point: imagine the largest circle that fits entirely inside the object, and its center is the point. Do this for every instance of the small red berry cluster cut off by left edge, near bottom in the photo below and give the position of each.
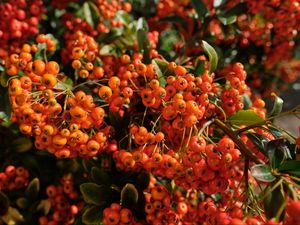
(13, 178)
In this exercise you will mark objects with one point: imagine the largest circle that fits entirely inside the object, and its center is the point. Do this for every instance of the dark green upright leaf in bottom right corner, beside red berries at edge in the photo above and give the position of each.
(273, 202)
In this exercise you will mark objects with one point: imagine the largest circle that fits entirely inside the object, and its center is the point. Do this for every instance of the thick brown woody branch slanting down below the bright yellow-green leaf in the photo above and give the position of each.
(237, 140)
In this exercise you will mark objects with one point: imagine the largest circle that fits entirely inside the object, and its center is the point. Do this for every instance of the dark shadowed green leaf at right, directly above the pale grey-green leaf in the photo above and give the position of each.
(277, 152)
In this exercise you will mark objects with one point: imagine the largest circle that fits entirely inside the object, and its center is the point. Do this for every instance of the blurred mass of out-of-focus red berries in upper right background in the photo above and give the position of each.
(271, 26)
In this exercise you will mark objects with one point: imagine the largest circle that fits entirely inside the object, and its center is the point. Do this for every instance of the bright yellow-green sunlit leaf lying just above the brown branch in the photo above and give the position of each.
(246, 117)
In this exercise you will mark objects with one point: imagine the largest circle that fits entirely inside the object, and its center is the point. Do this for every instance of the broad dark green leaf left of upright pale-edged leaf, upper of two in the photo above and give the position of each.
(95, 194)
